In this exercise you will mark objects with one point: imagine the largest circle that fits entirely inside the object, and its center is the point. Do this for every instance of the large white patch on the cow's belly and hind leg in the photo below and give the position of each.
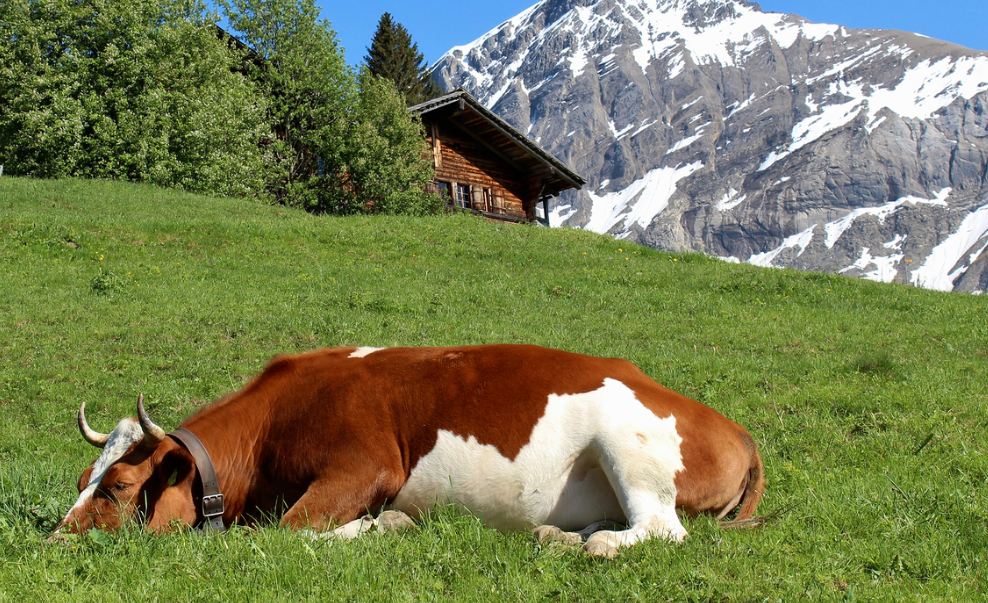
(594, 456)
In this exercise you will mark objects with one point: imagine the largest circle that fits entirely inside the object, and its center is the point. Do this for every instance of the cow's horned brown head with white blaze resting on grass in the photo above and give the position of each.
(141, 474)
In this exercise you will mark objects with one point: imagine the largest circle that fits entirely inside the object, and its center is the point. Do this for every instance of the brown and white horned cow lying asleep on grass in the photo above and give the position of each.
(523, 437)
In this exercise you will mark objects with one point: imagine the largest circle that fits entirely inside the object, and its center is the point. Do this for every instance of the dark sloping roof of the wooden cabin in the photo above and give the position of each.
(463, 111)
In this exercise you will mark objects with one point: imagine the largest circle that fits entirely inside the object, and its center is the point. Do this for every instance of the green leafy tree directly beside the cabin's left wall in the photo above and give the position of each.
(344, 143)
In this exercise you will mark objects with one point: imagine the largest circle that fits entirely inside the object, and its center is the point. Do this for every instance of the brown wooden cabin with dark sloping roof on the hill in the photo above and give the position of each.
(484, 165)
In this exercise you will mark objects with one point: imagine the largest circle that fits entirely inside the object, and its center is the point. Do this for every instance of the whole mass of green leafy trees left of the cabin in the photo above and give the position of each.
(146, 90)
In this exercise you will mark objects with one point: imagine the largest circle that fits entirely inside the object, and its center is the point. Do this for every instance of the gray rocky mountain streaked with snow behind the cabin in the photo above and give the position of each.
(757, 137)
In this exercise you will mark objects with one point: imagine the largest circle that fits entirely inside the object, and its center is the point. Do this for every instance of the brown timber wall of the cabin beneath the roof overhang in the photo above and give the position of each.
(464, 160)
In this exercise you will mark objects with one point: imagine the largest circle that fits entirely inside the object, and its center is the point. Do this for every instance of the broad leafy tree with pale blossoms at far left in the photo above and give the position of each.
(134, 89)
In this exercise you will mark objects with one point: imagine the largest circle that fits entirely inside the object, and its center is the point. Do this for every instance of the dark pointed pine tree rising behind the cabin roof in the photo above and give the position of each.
(394, 56)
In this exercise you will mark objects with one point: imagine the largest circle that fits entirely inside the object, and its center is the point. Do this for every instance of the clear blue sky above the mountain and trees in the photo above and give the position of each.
(438, 25)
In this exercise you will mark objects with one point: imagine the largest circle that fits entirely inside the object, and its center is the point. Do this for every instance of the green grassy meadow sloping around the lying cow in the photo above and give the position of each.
(868, 400)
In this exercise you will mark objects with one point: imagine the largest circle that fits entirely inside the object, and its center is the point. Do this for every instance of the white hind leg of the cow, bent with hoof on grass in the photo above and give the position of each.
(641, 462)
